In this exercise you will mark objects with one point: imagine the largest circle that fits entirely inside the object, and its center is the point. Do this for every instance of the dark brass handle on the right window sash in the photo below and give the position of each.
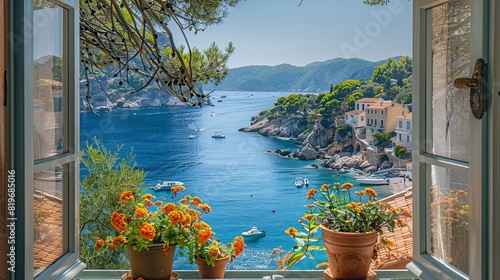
(477, 85)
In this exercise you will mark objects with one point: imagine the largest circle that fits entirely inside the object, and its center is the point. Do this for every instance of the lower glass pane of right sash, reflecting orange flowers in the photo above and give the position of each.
(450, 217)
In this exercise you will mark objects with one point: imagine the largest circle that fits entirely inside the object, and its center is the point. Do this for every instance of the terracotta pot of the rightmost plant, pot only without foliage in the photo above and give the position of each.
(349, 254)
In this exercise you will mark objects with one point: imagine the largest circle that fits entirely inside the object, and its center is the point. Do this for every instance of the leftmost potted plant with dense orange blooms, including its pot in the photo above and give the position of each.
(152, 229)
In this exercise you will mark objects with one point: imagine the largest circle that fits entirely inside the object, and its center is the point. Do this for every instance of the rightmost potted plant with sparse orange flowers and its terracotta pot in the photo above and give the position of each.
(350, 224)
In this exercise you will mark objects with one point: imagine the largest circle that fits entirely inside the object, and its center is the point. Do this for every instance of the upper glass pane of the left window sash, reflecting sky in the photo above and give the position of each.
(48, 80)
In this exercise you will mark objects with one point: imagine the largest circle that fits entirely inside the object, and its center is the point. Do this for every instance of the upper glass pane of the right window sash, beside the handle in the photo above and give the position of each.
(450, 60)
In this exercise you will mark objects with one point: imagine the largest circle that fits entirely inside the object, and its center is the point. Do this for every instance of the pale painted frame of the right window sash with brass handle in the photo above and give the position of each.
(425, 265)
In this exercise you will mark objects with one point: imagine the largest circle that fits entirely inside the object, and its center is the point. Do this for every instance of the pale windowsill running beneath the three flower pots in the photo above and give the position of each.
(249, 274)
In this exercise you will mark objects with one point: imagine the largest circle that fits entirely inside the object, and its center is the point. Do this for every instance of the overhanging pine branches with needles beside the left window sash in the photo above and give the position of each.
(133, 36)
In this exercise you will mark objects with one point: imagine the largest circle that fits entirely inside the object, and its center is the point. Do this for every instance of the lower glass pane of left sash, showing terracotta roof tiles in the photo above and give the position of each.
(48, 218)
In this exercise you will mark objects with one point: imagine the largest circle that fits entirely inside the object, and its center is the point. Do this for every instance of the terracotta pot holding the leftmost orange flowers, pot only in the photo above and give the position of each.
(152, 264)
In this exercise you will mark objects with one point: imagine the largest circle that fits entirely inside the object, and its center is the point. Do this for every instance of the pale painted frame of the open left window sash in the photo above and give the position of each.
(21, 158)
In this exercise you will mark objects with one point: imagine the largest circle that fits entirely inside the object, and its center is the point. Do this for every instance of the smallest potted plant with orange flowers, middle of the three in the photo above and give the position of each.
(211, 256)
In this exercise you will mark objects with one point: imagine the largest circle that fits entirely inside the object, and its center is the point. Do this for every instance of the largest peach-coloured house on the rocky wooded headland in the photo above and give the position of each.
(381, 117)
